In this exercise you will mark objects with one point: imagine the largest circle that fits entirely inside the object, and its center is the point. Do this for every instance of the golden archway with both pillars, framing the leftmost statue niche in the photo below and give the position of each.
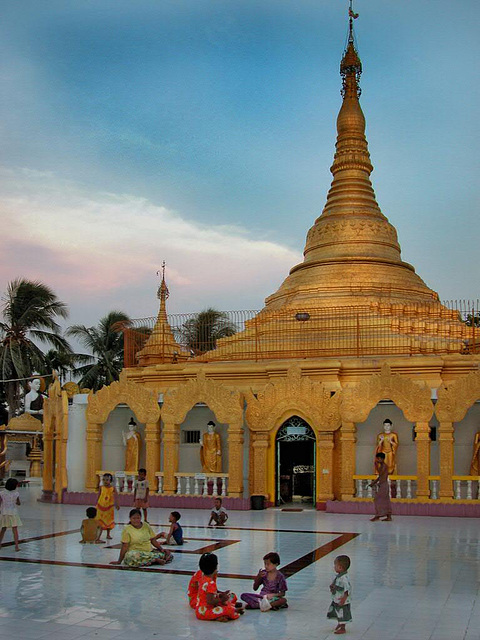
(143, 403)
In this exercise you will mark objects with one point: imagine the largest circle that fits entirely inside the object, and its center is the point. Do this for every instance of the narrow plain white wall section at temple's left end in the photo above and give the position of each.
(77, 445)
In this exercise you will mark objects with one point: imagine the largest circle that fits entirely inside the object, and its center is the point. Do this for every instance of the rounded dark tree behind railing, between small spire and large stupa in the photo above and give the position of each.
(201, 332)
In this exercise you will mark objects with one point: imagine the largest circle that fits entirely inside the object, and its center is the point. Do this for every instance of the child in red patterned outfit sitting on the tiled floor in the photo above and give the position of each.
(211, 603)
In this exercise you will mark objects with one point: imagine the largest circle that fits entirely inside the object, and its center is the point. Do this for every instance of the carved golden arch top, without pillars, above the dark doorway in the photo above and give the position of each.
(291, 395)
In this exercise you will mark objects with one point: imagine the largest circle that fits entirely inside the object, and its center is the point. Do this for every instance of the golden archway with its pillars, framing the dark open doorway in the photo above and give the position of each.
(279, 400)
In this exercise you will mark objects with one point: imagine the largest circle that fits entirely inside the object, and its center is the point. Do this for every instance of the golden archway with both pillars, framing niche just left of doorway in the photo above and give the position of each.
(227, 405)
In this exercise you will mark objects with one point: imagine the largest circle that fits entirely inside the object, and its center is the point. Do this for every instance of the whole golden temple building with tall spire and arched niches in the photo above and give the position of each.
(353, 353)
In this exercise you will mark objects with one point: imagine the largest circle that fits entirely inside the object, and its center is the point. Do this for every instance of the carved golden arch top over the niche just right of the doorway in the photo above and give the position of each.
(413, 398)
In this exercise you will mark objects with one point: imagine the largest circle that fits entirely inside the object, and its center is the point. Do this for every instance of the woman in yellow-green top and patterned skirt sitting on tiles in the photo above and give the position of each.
(137, 540)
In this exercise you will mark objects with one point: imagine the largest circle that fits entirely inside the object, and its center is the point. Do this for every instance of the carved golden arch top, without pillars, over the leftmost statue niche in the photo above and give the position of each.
(142, 401)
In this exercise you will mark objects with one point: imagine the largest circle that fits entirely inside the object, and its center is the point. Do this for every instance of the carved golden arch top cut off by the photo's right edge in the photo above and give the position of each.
(455, 399)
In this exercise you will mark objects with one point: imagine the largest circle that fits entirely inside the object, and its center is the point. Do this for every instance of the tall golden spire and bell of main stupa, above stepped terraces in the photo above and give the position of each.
(352, 250)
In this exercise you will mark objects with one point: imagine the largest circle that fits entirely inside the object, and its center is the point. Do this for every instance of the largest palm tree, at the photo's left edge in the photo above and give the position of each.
(30, 313)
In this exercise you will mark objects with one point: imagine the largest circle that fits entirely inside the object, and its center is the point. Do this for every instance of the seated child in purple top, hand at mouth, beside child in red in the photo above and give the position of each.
(274, 586)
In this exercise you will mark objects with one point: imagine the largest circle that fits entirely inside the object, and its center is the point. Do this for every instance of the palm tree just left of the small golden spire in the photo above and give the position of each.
(105, 343)
